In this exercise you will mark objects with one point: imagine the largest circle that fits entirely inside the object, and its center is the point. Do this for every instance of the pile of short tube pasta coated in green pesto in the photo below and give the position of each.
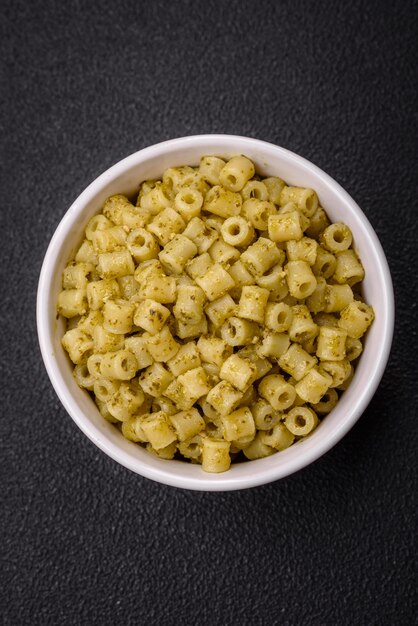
(217, 319)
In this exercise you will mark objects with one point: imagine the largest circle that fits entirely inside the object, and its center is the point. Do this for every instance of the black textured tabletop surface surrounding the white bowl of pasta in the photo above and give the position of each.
(85, 541)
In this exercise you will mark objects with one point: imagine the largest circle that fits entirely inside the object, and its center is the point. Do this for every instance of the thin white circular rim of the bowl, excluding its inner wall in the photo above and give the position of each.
(223, 481)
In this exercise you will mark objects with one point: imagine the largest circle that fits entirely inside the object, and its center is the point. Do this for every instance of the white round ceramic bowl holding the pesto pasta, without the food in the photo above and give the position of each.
(124, 177)
